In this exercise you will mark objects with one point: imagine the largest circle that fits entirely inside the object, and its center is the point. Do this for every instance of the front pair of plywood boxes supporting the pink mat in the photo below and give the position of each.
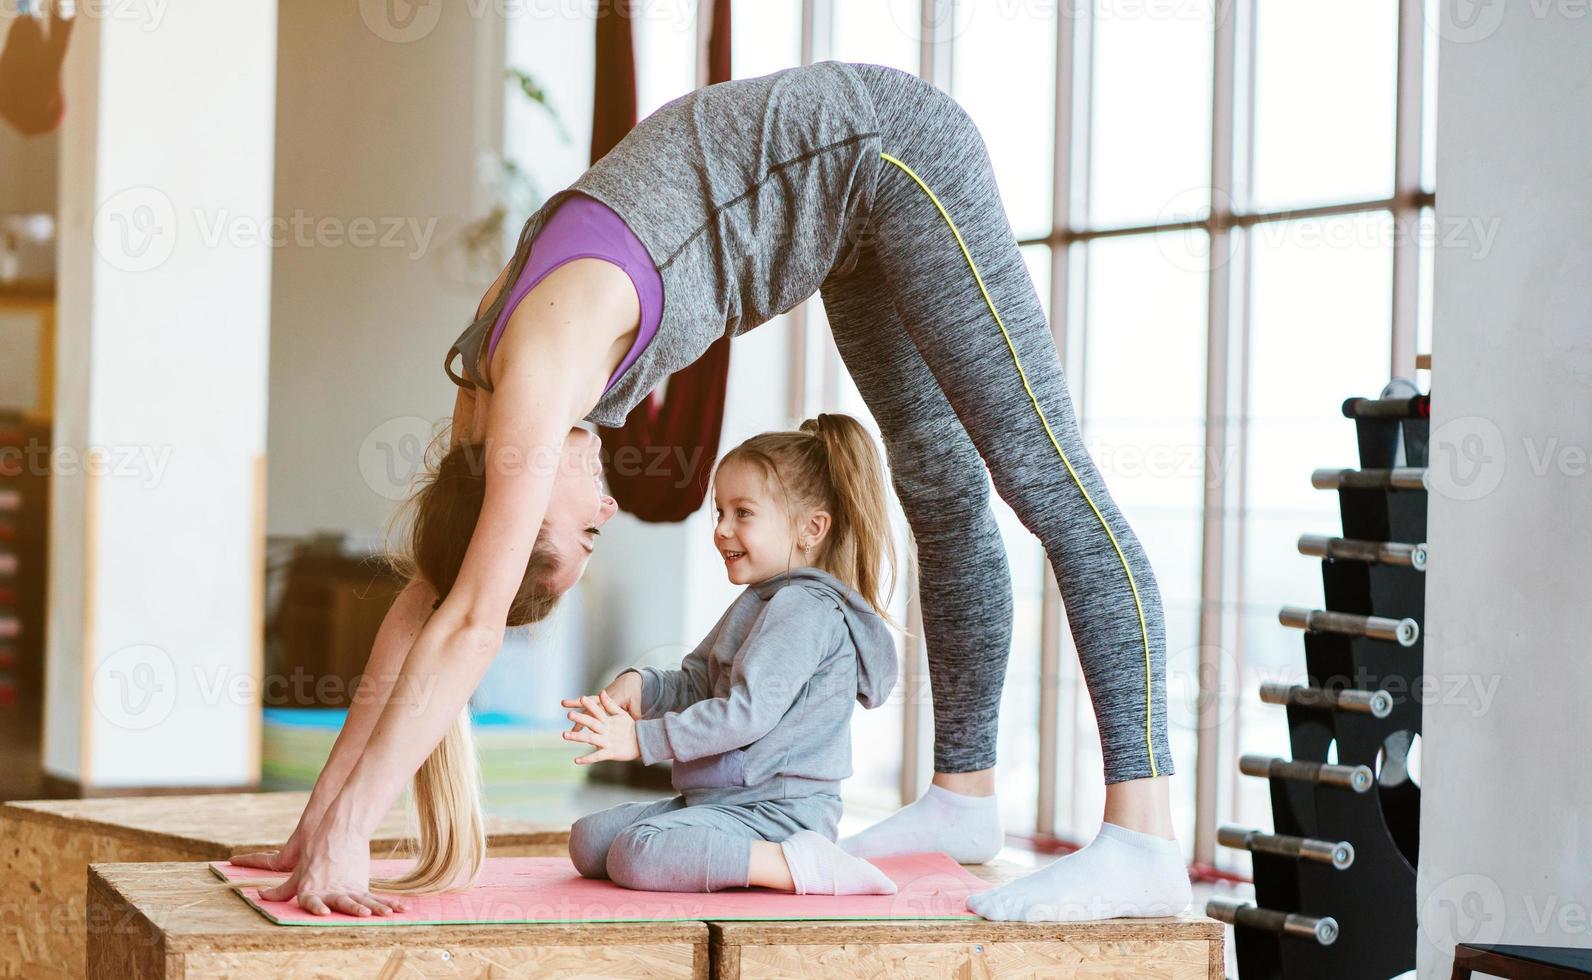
(178, 922)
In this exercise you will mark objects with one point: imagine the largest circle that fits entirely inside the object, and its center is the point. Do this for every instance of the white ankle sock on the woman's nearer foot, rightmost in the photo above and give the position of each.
(1120, 874)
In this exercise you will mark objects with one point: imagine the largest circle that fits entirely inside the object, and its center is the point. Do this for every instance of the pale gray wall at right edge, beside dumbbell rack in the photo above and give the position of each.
(1507, 814)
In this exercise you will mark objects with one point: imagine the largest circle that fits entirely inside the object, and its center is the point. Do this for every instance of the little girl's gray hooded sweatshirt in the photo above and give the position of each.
(762, 709)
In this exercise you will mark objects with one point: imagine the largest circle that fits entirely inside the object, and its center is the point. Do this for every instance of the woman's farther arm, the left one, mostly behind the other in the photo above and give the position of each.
(397, 636)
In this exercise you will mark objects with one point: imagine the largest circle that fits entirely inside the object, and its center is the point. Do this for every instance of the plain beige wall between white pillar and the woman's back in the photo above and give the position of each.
(381, 125)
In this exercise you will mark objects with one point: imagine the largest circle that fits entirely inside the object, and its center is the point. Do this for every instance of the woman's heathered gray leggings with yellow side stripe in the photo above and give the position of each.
(958, 386)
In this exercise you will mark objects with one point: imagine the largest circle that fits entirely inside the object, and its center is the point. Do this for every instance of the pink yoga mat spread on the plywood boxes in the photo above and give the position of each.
(548, 890)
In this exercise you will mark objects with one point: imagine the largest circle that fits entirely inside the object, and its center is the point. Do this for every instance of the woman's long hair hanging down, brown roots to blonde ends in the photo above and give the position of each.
(451, 841)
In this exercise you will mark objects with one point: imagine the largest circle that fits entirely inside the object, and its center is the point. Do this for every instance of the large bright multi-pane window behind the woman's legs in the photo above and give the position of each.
(1230, 219)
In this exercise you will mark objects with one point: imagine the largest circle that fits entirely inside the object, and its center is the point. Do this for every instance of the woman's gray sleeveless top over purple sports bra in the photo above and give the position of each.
(746, 195)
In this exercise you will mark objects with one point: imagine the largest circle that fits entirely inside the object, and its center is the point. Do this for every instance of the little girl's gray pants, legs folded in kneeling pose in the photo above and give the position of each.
(706, 847)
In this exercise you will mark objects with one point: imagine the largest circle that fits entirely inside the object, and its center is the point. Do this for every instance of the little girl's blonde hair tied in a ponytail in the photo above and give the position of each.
(832, 464)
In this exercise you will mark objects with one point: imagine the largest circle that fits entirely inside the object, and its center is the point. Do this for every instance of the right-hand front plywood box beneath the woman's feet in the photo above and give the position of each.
(1187, 947)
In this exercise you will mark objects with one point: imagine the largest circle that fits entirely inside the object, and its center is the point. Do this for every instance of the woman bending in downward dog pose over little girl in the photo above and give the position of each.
(719, 212)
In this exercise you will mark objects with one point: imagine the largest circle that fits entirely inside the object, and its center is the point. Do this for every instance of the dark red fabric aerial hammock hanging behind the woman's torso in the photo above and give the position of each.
(661, 457)
